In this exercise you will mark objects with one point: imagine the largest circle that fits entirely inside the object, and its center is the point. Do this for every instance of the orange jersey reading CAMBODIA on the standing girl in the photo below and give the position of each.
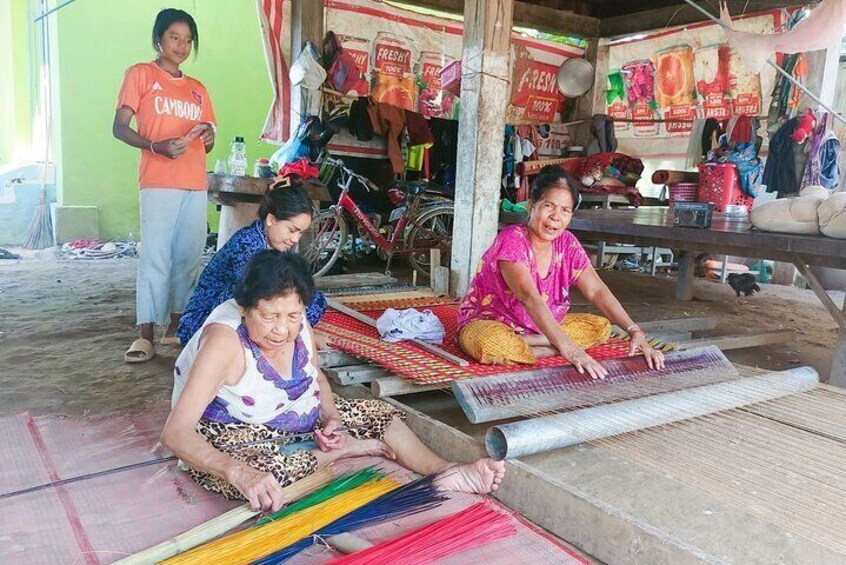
(167, 107)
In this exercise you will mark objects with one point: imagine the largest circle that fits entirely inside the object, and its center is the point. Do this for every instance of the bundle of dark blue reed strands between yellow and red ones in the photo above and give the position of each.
(416, 496)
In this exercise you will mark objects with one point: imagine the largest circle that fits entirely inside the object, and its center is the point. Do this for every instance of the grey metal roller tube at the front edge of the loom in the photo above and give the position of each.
(517, 439)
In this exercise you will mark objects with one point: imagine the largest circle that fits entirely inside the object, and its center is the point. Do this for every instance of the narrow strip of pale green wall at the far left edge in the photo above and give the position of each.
(15, 103)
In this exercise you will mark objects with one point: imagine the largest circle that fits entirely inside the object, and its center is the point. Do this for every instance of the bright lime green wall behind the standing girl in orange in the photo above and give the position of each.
(97, 41)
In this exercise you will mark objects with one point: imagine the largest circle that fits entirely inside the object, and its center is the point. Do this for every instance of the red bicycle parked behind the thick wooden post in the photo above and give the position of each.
(412, 230)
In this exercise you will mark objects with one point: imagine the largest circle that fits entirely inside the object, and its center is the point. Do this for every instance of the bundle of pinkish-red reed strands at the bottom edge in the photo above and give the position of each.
(472, 527)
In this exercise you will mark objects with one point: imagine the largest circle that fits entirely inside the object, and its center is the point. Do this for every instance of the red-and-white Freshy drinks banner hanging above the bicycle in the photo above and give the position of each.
(401, 54)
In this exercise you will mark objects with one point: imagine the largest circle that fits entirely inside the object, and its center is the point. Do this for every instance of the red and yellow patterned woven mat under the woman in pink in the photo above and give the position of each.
(413, 363)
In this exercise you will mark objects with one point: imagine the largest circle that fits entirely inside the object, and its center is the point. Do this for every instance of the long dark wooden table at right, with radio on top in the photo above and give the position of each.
(727, 236)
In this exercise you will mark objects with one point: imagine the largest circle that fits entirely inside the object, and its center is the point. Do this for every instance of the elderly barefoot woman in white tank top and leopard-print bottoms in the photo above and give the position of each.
(251, 373)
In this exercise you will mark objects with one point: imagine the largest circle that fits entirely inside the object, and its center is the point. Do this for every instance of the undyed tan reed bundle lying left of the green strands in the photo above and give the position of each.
(222, 524)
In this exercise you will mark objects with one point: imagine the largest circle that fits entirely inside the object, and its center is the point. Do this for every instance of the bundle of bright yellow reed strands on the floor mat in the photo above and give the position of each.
(248, 545)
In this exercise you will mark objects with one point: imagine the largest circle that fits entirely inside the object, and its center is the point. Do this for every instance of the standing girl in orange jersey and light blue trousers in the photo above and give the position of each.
(175, 128)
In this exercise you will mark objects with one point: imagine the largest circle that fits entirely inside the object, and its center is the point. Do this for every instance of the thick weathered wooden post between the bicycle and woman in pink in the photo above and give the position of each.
(484, 98)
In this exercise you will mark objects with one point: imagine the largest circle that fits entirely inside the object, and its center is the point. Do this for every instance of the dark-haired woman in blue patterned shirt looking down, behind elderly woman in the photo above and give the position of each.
(284, 213)
